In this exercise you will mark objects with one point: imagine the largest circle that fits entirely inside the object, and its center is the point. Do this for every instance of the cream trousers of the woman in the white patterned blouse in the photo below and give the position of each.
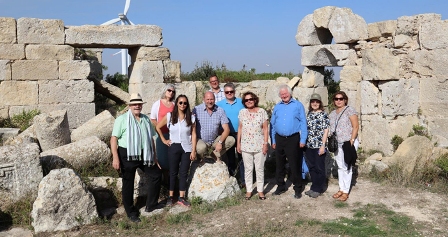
(249, 159)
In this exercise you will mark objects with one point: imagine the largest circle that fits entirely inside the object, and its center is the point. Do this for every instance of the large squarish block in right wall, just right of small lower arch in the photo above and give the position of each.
(380, 64)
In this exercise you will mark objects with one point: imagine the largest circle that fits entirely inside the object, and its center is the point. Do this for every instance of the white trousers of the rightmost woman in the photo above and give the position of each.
(344, 174)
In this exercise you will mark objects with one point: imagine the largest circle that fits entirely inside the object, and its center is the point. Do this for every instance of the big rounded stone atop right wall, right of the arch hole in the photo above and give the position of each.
(347, 27)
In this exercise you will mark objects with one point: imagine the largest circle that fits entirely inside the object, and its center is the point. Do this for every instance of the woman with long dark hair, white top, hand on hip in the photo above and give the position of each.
(181, 146)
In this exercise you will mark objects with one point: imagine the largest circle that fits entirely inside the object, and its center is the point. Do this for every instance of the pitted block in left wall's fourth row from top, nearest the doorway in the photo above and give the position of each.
(67, 91)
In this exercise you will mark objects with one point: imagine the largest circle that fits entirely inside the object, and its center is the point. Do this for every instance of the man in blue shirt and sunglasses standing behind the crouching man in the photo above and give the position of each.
(232, 107)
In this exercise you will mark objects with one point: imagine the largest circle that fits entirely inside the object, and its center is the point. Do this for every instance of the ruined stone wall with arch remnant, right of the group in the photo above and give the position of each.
(393, 71)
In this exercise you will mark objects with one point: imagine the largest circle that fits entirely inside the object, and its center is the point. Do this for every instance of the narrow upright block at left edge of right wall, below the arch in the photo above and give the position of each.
(370, 98)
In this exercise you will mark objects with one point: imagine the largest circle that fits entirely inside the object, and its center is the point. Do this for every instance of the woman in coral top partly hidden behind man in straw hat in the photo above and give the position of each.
(158, 110)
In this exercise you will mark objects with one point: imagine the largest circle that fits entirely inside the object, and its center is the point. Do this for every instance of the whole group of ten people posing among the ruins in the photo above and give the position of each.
(238, 129)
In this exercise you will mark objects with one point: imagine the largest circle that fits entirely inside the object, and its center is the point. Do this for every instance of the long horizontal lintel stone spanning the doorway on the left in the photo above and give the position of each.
(113, 36)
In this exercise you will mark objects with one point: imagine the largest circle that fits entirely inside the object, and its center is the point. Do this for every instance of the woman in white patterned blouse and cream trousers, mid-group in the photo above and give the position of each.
(252, 142)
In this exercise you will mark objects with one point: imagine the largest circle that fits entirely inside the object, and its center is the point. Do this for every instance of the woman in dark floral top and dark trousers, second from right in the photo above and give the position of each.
(318, 125)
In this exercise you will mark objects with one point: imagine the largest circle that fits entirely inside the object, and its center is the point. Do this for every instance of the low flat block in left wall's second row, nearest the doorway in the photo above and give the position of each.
(49, 52)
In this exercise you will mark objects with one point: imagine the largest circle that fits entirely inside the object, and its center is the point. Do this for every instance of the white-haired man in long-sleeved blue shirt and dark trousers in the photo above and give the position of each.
(288, 136)
